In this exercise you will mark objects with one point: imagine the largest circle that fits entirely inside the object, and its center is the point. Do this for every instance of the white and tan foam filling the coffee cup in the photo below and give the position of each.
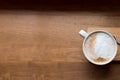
(100, 47)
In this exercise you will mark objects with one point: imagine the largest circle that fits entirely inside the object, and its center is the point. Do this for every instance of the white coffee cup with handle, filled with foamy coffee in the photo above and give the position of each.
(99, 47)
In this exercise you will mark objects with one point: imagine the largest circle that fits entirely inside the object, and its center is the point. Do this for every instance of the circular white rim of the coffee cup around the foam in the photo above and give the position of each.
(102, 63)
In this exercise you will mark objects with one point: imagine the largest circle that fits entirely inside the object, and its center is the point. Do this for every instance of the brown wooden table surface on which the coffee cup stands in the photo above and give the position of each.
(45, 45)
